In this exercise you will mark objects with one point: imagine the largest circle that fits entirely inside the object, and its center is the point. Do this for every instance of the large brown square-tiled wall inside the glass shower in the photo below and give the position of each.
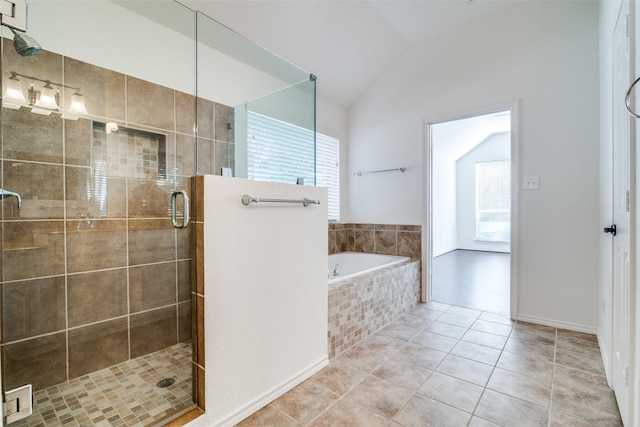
(94, 273)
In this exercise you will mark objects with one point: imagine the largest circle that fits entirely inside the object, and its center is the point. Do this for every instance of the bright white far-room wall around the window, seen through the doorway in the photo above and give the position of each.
(496, 147)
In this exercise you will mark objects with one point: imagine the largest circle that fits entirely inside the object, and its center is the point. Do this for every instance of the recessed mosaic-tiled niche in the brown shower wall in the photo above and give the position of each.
(128, 152)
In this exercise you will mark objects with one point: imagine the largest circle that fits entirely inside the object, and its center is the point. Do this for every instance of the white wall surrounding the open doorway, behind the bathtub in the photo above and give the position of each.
(546, 55)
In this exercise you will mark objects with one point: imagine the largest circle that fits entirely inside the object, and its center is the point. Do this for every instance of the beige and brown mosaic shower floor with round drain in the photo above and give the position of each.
(122, 395)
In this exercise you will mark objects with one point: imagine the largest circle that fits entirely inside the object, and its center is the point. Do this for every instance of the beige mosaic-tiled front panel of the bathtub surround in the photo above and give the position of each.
(361, 306)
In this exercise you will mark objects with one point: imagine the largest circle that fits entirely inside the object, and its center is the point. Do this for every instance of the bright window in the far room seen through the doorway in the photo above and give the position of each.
(493, 201)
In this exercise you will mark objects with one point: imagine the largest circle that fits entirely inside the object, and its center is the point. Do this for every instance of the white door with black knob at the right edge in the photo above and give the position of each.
(623, 194)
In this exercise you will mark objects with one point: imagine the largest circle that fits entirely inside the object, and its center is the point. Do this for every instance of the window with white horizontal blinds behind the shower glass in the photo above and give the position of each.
(278, 151)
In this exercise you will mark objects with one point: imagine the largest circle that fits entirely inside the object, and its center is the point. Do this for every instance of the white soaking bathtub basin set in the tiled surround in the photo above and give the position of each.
(344, 265)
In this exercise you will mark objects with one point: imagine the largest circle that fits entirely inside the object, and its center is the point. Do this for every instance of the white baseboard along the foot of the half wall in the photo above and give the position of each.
(271, 395)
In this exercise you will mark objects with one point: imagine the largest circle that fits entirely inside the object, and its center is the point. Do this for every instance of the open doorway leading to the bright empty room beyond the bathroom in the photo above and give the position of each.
(470, 210)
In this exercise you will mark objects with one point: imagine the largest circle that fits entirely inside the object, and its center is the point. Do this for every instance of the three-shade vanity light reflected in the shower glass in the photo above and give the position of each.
(43, 101)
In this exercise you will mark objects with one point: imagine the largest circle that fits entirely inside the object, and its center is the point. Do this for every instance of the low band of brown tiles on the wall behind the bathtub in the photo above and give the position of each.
(404, 240)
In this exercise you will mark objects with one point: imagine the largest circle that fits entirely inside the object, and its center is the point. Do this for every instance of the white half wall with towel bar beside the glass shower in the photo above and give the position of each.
(266, 295)
